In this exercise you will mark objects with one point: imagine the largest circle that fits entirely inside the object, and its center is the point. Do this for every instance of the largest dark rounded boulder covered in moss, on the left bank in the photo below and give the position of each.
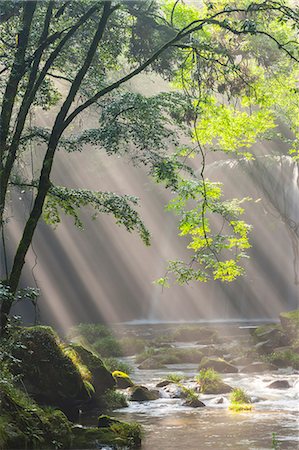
(46, 372)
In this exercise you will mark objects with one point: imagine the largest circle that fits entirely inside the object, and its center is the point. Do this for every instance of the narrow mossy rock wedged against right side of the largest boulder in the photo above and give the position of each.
(102, 379)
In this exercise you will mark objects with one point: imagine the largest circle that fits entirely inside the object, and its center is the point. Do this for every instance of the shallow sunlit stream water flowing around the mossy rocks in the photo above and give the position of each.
(168, 425)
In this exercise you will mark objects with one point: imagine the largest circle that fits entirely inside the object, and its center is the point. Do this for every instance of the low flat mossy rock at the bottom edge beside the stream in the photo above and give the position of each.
(120, 435)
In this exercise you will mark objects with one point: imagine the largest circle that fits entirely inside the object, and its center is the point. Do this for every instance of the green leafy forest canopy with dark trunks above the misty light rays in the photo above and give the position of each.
(232, 70)
